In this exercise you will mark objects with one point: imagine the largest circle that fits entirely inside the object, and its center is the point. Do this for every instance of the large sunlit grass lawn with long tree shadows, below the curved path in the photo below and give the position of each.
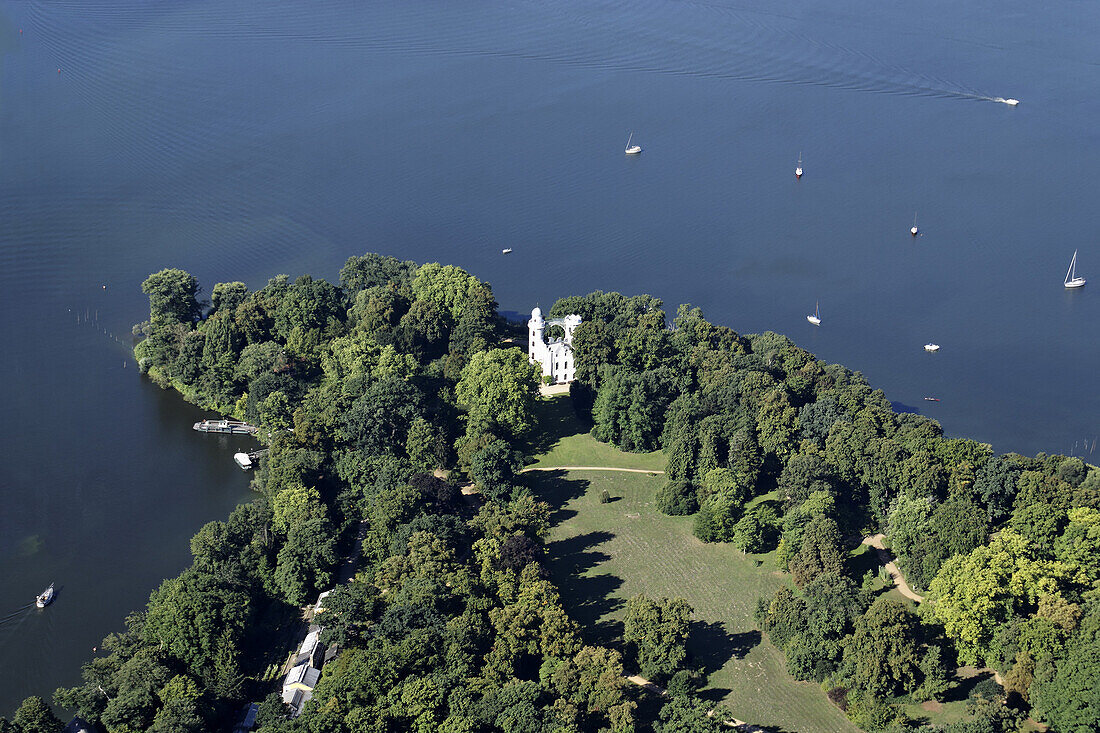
(600, 555)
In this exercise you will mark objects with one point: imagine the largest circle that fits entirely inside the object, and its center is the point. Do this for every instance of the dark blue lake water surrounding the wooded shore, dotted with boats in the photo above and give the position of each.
(240, 140)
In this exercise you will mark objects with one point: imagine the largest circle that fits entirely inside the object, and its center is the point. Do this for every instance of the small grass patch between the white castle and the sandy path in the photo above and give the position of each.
(563, 440)
